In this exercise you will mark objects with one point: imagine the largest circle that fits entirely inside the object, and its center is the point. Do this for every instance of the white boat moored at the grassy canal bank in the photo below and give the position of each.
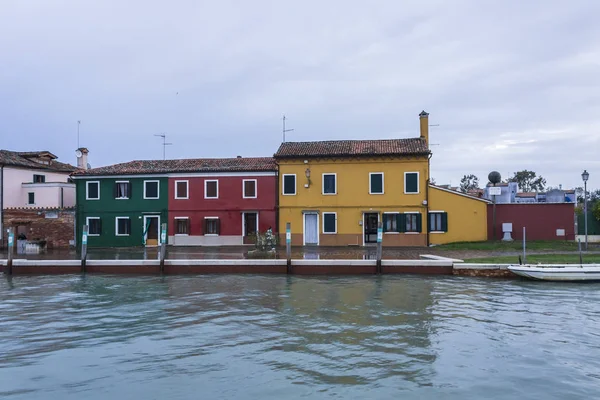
(558, 272)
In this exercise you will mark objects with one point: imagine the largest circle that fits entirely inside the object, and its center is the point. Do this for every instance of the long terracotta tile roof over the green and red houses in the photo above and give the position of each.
(250, 164)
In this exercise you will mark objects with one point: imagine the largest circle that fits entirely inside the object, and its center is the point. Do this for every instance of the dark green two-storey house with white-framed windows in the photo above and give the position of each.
(120, 211)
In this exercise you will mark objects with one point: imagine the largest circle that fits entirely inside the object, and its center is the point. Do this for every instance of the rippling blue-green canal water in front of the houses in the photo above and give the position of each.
(249, 337)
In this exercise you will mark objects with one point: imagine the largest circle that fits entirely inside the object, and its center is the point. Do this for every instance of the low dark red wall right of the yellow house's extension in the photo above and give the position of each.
(541, 220)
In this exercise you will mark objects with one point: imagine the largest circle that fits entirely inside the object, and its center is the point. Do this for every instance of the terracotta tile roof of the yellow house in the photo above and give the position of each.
(353, 148)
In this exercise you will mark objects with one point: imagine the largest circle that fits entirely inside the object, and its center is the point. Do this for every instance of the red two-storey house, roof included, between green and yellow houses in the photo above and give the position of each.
(217, 202)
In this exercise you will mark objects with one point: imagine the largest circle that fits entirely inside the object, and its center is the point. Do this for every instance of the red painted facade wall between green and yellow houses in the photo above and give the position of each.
(228, 207)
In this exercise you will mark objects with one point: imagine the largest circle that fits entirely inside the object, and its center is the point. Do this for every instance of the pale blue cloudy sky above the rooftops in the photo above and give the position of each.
(510, 85)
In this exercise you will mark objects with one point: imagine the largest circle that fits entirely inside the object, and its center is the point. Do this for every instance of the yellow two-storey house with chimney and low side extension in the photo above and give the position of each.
(335, 193)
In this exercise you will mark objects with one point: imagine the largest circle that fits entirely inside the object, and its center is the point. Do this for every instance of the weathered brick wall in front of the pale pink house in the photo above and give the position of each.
(55, 226)
